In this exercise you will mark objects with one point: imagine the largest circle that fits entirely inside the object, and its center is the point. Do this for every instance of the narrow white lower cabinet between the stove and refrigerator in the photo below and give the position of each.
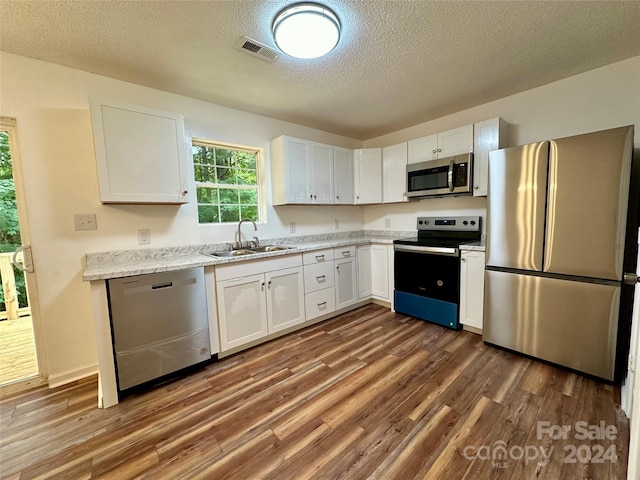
(472, 288)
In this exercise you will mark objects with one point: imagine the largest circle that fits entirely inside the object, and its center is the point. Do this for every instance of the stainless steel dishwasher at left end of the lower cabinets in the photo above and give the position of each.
(159, 324)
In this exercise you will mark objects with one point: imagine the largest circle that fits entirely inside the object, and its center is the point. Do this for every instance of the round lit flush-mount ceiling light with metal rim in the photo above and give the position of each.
(306, 30)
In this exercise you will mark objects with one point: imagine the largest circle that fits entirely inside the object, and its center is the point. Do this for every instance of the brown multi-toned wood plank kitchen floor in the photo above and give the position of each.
(369, 394)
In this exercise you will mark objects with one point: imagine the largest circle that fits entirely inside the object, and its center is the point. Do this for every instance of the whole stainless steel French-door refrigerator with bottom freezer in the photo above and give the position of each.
(556, 226)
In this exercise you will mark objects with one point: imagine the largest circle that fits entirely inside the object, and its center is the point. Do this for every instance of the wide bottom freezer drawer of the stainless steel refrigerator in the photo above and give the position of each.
(565, 322)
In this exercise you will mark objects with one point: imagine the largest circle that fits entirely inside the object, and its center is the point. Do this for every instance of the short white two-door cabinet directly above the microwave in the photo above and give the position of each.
(440, 145)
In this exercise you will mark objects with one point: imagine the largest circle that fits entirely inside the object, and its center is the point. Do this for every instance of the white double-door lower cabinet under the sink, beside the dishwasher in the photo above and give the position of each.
(258, 298)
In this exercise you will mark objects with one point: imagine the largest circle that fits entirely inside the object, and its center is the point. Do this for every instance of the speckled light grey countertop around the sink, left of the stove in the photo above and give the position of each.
(126, 263)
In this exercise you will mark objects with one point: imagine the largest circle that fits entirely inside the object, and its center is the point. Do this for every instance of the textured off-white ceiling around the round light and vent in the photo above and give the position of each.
(398, 63)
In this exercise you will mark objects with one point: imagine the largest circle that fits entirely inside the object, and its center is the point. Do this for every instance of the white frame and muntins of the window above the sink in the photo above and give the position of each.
(261, 209)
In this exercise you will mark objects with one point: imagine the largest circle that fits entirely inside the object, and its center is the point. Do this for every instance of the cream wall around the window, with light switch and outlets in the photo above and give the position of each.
(51, 105)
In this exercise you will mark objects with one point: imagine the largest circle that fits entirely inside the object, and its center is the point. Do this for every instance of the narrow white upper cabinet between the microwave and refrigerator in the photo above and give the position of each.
(487, 135)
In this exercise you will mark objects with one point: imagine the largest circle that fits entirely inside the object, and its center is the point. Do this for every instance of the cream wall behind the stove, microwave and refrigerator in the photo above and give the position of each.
(604, 98)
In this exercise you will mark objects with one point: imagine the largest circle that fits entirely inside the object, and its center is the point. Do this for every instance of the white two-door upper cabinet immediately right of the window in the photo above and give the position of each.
(301, 171)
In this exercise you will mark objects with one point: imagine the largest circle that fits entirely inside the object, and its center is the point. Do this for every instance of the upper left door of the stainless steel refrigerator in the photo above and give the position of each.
(515, 206)
